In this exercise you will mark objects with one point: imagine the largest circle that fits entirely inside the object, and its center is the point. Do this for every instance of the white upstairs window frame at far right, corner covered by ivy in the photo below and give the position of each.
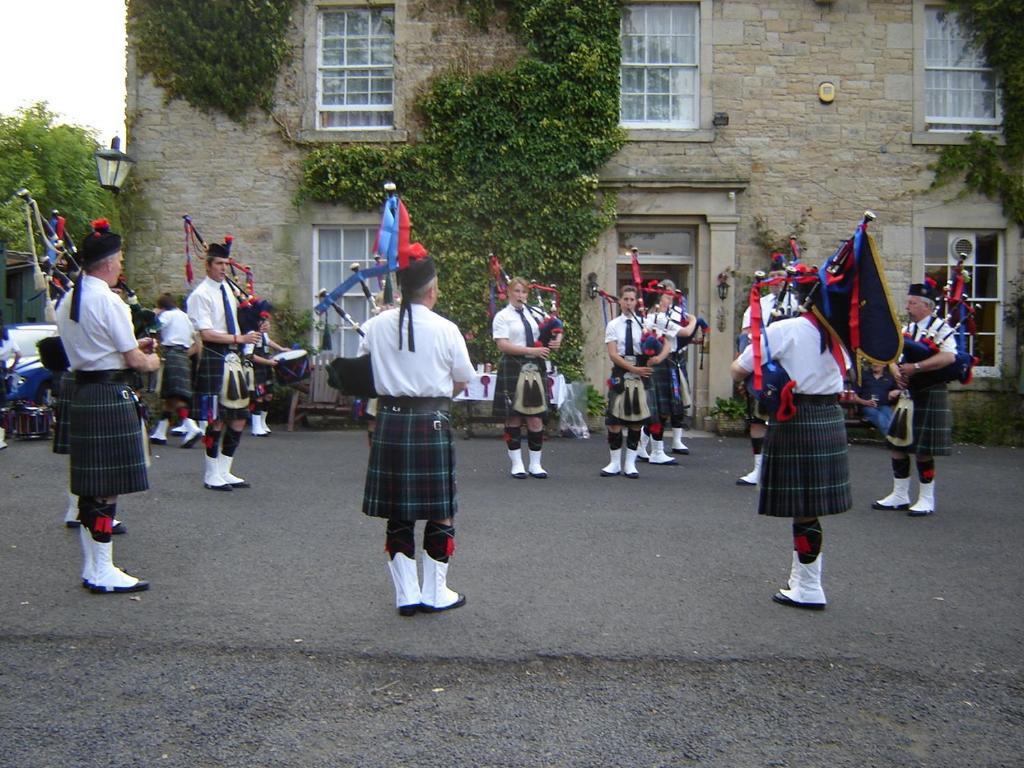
(969, 63)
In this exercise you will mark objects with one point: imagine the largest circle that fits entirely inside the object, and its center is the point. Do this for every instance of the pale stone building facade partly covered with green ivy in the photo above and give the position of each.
(804, 111)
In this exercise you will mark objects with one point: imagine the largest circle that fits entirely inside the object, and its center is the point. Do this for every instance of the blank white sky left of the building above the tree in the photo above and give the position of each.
(70, 54)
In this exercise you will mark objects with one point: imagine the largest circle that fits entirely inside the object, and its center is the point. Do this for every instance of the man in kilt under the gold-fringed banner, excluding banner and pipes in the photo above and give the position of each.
(805, 475)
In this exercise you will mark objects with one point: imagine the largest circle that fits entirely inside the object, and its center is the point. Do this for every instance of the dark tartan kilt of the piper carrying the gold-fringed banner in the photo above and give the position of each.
(806, 471)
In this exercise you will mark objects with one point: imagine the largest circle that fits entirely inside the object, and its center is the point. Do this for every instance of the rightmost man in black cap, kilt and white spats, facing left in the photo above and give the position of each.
(922, 422)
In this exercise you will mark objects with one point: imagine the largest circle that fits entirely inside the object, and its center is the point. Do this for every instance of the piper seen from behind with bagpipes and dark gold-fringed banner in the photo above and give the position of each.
(798, 368)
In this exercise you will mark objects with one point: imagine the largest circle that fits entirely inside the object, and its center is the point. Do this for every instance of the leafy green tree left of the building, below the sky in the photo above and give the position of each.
(55, 163)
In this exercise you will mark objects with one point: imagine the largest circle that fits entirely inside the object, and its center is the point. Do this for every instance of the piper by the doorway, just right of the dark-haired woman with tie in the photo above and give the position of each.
(669, 397)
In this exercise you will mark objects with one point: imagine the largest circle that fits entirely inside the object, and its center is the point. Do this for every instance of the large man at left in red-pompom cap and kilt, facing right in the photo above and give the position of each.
(104, 416)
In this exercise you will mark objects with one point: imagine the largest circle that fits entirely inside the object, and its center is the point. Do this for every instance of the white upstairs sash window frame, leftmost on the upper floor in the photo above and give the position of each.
(373, 71)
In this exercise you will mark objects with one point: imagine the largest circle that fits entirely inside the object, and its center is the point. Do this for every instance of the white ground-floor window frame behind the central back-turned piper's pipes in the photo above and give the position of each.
(346, 339)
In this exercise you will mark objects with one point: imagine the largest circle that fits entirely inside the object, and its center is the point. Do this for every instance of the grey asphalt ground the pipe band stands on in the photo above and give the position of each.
(610, 622)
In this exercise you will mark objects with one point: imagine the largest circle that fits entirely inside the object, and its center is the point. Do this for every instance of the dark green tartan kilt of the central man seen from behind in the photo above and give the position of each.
(411, 474)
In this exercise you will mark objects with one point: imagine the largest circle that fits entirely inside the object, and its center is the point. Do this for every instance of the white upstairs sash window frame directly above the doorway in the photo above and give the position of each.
(695, 67)
